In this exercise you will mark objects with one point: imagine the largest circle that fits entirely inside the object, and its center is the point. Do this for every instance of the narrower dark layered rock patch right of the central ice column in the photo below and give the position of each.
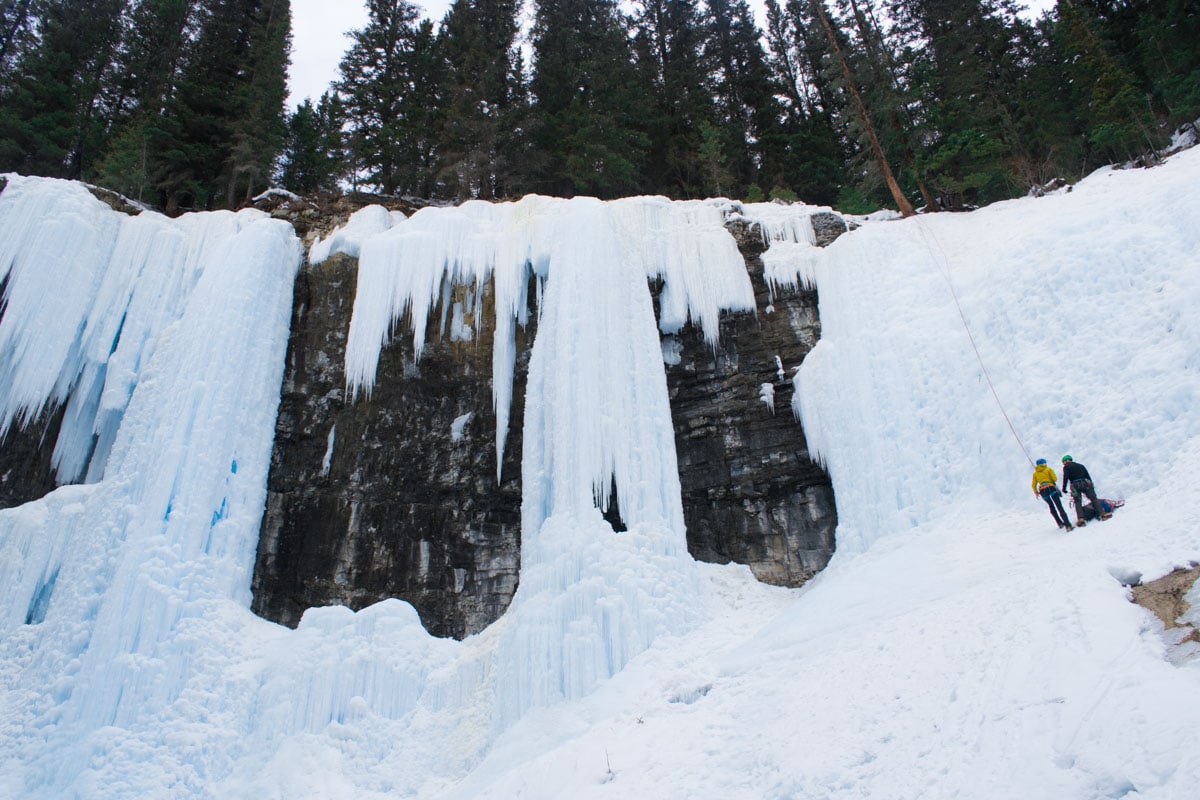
(752, 494)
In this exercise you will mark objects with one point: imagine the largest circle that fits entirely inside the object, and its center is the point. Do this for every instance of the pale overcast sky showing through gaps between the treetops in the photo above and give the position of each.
(320, 27)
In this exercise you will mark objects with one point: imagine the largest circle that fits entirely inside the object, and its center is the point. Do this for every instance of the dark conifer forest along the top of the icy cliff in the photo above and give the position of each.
(855, 104)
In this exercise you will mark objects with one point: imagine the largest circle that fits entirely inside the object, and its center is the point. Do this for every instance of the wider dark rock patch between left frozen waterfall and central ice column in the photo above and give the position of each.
(409, 506)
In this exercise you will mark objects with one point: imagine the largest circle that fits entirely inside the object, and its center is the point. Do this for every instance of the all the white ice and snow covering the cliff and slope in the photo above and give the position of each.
(959, 646)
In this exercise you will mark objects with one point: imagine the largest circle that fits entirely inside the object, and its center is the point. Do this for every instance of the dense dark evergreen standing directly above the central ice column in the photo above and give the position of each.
(590, 112)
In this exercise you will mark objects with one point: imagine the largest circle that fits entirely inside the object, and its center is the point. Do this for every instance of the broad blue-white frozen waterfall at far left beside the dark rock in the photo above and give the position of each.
(153, 328)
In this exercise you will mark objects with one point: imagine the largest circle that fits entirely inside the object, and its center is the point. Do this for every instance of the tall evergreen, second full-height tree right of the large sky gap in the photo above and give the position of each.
(477, 149)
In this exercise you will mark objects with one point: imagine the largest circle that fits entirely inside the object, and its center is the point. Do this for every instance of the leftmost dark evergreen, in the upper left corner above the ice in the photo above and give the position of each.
(51, 116)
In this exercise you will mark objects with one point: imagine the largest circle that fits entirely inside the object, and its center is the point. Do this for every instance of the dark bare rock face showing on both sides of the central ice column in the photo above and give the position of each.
(397, 496)
